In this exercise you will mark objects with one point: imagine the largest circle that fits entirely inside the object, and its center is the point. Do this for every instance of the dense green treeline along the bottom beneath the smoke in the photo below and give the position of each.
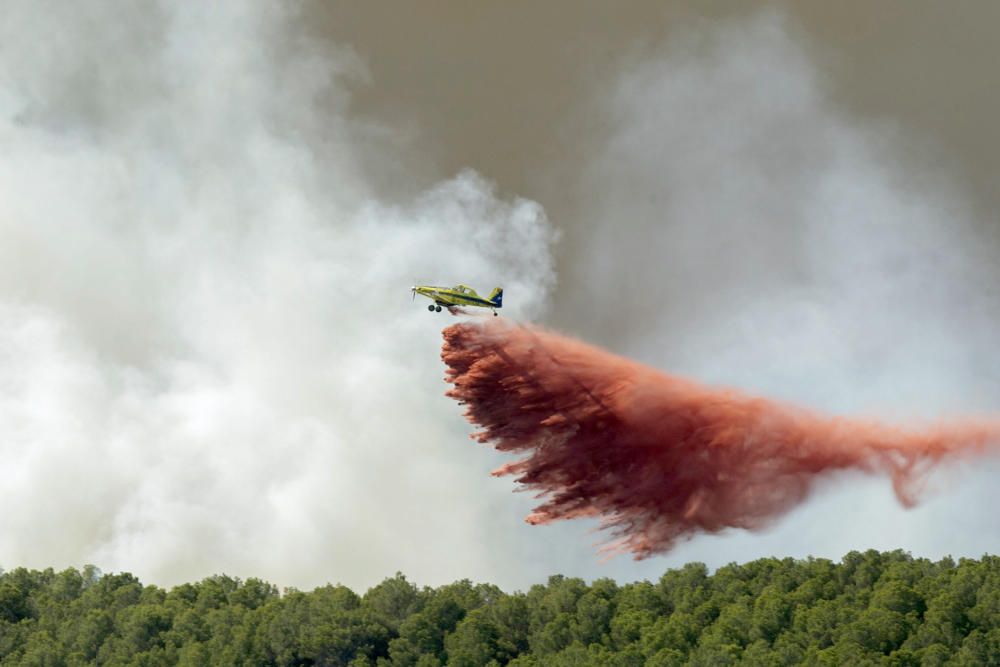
(872, 608)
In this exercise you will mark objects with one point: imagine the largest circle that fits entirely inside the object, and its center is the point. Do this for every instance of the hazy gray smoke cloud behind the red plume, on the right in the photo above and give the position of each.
(737, 226)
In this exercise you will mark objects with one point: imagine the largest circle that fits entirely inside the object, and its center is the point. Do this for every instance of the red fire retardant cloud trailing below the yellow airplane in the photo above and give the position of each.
(659, 458)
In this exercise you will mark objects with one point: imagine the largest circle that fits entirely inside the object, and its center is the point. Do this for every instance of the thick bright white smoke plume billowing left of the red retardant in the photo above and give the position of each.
(209, 360)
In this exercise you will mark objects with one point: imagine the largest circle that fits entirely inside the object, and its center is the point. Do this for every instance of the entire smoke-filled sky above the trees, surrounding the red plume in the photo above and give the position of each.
(210, 216)
